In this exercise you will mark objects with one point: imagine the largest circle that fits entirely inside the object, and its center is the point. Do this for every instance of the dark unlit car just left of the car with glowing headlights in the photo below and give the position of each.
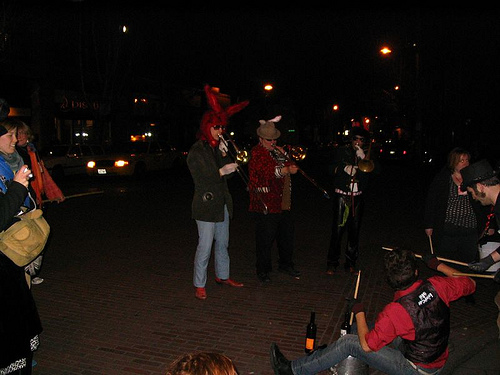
(68, 160)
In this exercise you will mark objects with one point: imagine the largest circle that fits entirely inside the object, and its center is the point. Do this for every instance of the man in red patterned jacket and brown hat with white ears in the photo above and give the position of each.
(270, 183)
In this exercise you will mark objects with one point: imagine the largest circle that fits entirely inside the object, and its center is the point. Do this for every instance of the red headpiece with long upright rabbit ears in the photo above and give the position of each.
(216, 116)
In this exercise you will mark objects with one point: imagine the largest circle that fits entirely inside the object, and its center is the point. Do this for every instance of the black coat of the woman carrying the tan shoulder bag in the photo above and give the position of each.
(19, 320)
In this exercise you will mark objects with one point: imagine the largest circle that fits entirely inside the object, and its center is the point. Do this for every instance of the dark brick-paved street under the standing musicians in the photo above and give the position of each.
(118, 297)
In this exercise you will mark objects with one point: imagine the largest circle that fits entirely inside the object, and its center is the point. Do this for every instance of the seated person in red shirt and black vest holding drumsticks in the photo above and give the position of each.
(410, 335)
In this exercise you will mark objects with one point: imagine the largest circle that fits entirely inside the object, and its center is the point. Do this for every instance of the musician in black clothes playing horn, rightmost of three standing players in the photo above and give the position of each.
(348, 203)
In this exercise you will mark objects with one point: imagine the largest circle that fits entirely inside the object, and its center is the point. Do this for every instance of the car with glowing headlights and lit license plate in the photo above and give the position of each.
(135, 158)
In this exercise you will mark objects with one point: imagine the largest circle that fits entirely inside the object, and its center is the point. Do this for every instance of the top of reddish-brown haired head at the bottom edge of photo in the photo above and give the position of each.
(202, 364)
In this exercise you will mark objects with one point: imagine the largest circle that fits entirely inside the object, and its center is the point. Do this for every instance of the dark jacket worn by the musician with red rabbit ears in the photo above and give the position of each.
(211, 192)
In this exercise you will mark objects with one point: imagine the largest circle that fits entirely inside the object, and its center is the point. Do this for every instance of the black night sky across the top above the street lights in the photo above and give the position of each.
(311, 54)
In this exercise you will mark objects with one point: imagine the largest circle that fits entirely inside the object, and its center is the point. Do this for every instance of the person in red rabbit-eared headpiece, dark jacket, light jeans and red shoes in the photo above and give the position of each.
(212, 205)
